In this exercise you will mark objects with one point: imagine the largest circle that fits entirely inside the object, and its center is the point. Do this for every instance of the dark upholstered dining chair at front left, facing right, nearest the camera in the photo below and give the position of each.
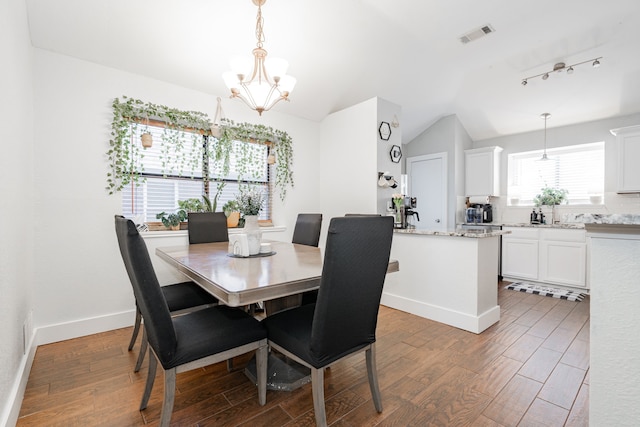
(190, 341)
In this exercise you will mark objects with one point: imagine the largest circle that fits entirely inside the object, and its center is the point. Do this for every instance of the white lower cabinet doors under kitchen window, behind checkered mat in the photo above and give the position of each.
(554, 256)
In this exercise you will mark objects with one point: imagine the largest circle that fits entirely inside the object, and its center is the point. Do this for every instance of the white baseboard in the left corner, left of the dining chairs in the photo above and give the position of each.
(54, 333)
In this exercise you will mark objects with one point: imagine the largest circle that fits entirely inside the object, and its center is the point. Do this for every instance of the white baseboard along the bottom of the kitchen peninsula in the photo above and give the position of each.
(475, 324)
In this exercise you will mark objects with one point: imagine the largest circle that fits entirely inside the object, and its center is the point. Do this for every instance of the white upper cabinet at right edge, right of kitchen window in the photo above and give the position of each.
(628, 144)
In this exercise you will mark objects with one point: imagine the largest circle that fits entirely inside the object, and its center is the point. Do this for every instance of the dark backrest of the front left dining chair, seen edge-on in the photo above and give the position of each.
(156, 315)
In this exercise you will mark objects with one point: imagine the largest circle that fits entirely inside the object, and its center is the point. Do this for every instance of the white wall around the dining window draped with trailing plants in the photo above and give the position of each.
(81, 285)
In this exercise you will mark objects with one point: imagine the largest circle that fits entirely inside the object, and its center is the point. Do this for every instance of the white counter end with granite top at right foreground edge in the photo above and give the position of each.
(614, 339)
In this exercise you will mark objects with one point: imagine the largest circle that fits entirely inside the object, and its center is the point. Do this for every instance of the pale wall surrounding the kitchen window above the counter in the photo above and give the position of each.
(562, 136)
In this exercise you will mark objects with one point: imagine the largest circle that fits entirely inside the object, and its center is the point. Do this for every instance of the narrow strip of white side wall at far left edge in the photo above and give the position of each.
(16, 195)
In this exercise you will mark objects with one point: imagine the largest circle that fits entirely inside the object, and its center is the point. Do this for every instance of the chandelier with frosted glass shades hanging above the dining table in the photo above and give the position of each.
(259, 82)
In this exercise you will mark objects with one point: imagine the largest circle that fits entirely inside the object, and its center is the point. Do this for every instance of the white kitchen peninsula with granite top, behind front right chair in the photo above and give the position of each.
(446, 276)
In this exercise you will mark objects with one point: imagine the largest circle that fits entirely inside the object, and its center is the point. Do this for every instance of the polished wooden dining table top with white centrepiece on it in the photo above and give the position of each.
(293, 269)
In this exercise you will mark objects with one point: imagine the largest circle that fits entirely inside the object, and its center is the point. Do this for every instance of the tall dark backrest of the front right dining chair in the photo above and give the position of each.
(355, 265)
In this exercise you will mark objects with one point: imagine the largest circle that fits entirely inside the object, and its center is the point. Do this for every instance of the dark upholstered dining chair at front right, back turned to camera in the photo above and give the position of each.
(344, 318)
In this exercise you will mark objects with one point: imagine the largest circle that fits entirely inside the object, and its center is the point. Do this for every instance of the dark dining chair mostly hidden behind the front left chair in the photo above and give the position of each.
(181, 298)
